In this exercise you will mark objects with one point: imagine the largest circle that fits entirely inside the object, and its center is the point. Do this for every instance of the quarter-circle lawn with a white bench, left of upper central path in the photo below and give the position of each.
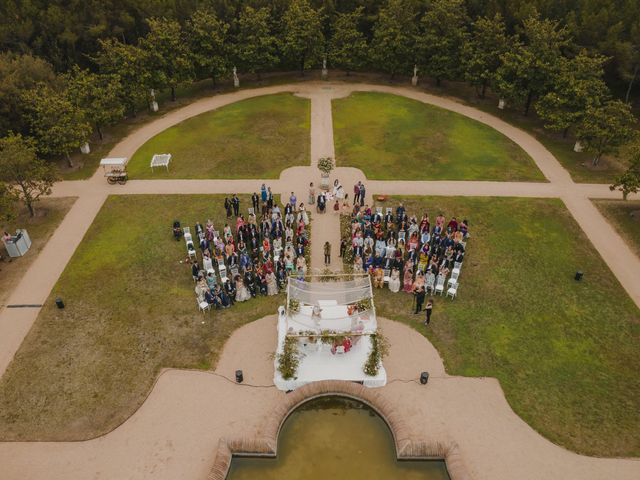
(253, 138)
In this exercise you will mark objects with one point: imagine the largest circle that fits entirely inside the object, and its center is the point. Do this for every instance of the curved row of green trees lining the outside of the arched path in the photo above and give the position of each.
(539, 66)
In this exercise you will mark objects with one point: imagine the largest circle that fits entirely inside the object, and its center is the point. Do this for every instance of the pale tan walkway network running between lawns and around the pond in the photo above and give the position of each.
(173, 433)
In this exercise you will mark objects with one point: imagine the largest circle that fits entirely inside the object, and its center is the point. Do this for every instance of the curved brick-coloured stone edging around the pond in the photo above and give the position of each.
(407, 448)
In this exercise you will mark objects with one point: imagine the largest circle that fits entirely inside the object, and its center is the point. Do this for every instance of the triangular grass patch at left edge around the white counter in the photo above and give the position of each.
(49, 213)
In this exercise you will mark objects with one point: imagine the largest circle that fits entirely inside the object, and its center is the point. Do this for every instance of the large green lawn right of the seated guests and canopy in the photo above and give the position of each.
(566, 353)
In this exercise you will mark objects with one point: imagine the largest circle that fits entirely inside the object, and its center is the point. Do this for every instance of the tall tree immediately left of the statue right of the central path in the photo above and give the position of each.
(394, 37)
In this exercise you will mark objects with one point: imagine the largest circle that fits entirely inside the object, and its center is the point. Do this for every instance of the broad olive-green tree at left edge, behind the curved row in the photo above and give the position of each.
(17, 74)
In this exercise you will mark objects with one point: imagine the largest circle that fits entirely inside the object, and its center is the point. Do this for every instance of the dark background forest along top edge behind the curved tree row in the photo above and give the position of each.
(68, 32)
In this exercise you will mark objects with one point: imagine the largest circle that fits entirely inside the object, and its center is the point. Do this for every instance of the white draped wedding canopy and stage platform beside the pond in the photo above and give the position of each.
(332, 323)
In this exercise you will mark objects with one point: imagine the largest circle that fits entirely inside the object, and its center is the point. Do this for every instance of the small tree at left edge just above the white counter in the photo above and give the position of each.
(26, 176)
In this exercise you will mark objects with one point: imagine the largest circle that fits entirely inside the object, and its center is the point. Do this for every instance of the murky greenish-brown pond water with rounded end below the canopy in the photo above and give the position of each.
(335, 438)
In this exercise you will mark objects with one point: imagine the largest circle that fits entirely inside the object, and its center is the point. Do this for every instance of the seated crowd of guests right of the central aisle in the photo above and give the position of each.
(405, 252)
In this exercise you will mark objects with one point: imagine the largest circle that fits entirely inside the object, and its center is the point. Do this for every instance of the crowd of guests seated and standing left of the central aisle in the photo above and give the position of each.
(250, 256)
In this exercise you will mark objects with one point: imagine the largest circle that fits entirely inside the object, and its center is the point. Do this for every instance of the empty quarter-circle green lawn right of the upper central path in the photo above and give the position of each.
(391, 137)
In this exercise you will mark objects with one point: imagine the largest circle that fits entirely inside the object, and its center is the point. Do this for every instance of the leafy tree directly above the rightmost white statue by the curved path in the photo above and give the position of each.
(577, 87)
